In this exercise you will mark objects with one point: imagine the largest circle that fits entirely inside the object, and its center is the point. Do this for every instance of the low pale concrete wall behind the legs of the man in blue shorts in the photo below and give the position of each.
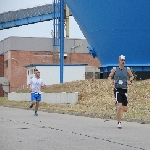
(50, 98)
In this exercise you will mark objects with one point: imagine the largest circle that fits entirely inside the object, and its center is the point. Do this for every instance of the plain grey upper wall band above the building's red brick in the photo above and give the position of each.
(42, 44)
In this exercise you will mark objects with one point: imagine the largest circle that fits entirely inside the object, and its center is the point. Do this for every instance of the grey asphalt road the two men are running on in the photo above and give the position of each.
(21, 130)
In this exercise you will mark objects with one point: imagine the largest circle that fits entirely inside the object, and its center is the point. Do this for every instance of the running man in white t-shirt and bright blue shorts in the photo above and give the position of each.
(36, 83)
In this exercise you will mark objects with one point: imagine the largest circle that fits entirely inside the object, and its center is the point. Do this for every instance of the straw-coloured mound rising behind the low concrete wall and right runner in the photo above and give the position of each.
(97, 96)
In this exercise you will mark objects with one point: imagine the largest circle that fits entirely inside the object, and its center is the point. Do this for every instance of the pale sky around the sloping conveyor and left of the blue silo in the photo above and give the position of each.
(41, 29)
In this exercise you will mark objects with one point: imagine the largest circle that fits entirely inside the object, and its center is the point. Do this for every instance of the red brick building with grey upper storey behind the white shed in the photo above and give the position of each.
(17, 52)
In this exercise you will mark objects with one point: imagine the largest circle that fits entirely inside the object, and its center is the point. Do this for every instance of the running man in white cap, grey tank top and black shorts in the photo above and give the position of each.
(119, 78)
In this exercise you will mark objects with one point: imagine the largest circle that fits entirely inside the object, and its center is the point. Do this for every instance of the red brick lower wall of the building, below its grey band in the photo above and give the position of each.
(16, 72)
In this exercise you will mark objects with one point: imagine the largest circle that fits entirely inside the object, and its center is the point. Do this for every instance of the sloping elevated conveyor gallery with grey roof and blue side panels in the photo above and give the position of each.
(27, 16)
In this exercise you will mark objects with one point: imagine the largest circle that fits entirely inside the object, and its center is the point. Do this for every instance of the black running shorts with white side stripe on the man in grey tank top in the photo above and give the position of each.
(121, 96)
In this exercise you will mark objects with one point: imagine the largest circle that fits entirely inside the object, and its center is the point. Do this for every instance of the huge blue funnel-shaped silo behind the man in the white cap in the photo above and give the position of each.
(115, 27)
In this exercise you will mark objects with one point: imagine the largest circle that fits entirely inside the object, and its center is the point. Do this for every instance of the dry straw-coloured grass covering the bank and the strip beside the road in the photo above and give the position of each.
(96, 98)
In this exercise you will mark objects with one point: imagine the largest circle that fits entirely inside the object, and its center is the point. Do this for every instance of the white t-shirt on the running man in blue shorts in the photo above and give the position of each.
(35, 85)
